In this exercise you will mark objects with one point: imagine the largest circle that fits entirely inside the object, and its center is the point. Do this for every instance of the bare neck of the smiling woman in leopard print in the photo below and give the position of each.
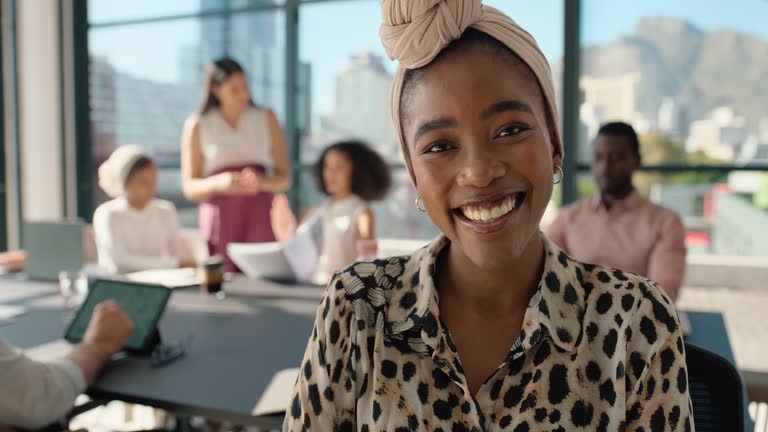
(503, 289)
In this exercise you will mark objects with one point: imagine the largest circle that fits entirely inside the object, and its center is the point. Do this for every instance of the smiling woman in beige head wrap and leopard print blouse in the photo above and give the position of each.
(491, 327)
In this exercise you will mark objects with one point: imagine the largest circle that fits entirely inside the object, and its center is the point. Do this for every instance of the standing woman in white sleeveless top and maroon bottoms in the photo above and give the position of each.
(233, 158)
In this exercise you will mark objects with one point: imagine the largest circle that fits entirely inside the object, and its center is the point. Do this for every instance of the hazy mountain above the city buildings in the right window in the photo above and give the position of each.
(699, 70)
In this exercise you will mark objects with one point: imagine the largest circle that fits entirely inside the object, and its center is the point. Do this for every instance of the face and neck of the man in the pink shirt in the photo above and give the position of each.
(614, 161)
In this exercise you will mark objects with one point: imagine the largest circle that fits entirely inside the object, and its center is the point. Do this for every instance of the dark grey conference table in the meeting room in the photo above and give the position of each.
(235, 346)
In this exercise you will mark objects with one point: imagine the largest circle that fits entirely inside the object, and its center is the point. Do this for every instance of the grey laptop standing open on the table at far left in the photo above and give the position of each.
(52, 247)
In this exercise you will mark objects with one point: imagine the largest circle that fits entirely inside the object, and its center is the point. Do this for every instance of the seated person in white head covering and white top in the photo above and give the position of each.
(135, 230)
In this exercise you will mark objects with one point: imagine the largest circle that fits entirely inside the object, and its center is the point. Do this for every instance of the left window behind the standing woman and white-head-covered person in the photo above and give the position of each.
(146, 78)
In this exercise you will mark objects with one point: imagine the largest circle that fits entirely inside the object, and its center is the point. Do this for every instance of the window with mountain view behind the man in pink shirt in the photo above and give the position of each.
(689, 76)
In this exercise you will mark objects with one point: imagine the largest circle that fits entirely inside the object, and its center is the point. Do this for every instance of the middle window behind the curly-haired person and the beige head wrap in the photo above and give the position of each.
(350, 78)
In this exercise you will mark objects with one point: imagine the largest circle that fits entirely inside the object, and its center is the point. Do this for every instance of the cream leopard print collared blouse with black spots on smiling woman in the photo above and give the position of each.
(600, 350)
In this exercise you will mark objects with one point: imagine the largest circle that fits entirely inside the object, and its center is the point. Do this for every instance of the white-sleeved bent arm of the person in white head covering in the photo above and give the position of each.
(112, 252)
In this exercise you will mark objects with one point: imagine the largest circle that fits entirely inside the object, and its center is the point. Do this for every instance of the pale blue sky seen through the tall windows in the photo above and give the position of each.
(330, 33)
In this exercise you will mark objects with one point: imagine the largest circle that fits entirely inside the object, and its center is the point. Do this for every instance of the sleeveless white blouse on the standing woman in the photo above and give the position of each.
(224, 146)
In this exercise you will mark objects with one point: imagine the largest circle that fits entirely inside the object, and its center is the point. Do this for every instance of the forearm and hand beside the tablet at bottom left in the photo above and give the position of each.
(36, 394)
